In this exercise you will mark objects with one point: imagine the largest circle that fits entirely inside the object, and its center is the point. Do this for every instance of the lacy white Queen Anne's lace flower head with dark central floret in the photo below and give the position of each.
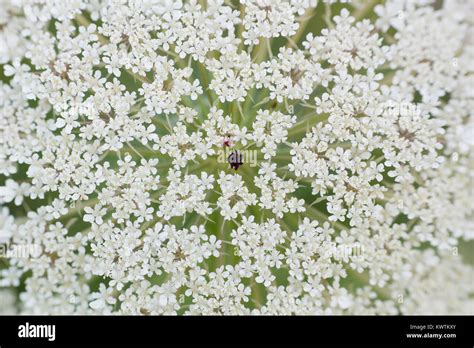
(113, 113)
